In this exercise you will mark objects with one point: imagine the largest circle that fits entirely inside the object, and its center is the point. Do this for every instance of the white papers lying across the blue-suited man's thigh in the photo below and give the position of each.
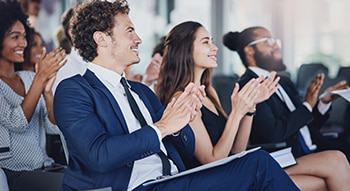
(203, 167)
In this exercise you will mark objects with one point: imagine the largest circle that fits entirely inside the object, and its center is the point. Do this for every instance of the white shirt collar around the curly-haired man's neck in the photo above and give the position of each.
(105, 75)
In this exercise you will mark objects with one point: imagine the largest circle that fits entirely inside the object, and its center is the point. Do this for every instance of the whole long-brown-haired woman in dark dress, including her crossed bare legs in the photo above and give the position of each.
(189, 56)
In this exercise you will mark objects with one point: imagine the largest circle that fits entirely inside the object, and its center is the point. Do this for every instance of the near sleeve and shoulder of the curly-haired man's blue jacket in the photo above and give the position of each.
(84, 125)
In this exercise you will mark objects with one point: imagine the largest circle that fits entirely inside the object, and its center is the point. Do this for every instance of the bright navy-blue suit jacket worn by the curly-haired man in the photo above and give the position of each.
(101, 149)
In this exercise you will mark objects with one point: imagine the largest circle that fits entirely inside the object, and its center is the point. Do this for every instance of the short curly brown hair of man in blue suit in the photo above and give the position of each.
(94, 16)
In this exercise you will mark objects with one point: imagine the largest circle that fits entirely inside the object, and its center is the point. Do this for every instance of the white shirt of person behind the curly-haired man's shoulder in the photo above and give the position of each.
(75, 65)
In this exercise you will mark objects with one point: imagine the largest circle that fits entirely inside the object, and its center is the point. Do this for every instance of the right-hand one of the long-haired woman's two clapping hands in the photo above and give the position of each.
(267, 88)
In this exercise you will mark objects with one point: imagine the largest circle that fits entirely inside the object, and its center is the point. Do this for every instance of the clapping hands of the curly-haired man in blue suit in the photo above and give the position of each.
(180, 111)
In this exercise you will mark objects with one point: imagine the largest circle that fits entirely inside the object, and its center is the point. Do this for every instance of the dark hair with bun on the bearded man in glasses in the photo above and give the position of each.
(236, 41)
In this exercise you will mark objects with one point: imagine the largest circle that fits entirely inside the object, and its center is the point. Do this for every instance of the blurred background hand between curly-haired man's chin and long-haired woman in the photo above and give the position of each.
(152, 70)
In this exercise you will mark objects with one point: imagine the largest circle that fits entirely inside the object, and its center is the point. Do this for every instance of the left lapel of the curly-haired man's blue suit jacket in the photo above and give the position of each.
(97, 84)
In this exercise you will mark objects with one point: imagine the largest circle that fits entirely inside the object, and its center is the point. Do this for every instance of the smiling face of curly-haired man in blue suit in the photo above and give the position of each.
(124, 41)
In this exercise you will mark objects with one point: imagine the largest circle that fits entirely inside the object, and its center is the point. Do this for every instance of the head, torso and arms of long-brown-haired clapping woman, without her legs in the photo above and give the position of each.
(189, 56)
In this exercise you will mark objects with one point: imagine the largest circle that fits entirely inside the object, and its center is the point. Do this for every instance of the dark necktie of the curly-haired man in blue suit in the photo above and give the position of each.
(136, 110)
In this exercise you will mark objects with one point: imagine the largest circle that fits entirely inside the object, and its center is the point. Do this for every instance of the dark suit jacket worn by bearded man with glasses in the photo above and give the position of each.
(274, 122)
